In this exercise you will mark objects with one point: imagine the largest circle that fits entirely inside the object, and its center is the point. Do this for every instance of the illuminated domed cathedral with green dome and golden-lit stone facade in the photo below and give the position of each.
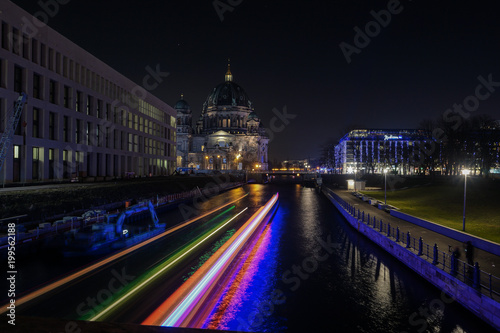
(228, 135)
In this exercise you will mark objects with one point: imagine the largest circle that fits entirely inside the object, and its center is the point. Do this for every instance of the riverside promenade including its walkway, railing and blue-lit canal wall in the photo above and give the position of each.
(471, 286)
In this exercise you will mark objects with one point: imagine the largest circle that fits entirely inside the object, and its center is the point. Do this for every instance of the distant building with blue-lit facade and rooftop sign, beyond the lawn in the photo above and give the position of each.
(374, 150)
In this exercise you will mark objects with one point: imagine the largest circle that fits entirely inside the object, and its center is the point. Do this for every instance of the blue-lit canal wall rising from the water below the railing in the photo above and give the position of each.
(484, 307)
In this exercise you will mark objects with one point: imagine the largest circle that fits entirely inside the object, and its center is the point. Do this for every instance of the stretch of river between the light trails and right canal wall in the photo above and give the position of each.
(358, 288)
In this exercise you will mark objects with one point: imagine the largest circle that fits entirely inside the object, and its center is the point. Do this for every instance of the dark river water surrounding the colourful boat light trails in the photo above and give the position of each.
(312, 272)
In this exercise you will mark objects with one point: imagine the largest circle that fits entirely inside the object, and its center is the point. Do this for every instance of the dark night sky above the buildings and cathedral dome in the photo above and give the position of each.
(286, 53)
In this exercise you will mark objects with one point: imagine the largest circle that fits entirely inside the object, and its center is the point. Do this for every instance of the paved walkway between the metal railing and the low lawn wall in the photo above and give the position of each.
(488, 262)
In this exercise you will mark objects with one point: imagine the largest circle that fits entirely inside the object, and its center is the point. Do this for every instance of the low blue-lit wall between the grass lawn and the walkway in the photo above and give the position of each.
(478, 242)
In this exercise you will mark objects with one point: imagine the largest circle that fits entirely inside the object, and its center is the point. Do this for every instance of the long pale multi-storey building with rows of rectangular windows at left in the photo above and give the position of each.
(82, 118)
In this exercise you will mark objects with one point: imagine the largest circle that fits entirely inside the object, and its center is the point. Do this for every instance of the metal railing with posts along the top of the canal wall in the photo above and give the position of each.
(472, 275)
